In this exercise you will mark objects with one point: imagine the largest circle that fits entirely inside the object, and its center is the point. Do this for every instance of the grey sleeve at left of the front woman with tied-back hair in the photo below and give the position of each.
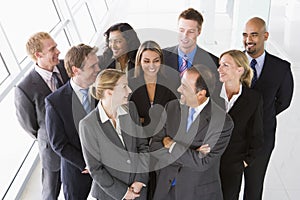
(90, 147)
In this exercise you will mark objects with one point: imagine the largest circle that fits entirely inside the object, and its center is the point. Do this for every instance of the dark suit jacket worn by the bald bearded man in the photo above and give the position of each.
(276, 87)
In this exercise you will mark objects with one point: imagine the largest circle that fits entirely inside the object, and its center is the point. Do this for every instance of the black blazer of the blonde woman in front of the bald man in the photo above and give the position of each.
(247, 135)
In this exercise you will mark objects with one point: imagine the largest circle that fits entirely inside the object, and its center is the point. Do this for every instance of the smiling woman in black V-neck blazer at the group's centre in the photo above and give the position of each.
(150, 92)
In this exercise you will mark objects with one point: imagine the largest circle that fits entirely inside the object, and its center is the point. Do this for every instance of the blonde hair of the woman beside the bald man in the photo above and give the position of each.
(241, 60)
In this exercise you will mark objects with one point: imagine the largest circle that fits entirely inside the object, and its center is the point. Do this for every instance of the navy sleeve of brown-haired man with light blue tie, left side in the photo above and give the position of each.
(58, 138)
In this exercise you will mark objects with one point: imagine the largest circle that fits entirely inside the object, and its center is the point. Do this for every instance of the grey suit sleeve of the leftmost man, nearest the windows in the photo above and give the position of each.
(26, 113)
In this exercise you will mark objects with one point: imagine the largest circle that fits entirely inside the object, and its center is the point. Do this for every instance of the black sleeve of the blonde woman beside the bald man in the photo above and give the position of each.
(255, 134)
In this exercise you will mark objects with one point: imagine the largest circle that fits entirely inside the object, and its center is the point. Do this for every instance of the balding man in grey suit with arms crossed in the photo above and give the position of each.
(188, 152)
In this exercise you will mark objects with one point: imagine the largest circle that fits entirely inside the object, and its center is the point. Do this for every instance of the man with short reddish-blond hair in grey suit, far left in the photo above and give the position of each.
(30, 106)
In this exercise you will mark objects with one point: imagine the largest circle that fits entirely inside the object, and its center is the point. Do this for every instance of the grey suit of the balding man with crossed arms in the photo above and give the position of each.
(197, 176)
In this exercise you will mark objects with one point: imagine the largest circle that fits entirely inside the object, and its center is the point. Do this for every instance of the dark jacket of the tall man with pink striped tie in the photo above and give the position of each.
(201, 57)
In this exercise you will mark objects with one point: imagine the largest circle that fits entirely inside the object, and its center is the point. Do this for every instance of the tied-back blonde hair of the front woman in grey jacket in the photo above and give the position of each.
(106, 79)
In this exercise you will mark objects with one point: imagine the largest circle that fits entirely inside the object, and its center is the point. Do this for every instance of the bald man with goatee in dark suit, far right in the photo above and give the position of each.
(274, 81)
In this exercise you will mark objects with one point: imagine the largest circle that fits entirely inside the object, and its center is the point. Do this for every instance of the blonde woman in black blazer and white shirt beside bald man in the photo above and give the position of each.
(244, 105)
